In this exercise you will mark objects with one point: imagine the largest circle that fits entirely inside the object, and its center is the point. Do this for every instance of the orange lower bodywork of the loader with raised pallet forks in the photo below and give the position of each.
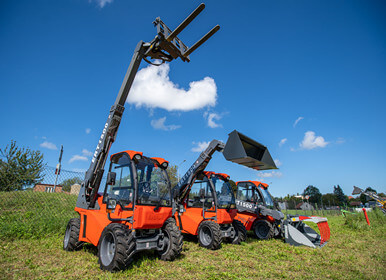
(93, 222)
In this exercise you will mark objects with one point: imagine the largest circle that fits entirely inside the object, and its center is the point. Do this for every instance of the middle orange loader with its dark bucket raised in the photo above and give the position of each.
(205, 200)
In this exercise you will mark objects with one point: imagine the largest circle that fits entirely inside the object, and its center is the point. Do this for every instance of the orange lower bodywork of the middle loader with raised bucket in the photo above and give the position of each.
(193, 216)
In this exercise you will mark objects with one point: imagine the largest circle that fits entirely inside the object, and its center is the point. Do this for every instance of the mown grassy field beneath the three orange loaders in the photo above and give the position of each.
(355, 251)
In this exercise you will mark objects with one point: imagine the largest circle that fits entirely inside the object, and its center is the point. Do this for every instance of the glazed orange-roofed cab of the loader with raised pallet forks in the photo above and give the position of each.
(134, 179)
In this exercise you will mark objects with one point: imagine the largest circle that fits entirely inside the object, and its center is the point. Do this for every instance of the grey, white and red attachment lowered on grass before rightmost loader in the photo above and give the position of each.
(297, 233)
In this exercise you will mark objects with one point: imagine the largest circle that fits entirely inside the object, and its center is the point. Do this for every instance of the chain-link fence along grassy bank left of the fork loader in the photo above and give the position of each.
(40, 209)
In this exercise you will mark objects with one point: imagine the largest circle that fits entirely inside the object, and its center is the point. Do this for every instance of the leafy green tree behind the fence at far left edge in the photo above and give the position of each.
(20, 167)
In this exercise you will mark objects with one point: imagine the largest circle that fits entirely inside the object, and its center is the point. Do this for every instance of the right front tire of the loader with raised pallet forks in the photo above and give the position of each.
(173, 241)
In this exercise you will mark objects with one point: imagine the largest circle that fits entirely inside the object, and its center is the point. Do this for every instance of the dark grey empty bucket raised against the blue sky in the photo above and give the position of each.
(245, 151)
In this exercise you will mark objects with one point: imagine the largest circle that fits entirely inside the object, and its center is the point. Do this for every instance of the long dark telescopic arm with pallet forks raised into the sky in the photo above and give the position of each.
(165, 47)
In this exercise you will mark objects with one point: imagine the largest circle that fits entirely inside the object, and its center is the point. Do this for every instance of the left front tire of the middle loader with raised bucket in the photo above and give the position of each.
(209, 235)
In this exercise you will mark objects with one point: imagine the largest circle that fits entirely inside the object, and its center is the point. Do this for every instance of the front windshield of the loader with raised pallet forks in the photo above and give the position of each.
(153, 184)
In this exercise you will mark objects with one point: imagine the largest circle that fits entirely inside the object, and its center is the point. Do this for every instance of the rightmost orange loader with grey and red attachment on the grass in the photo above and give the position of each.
(259, 212)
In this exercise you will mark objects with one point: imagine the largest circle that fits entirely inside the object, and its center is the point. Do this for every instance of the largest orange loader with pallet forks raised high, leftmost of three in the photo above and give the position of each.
(135, 212)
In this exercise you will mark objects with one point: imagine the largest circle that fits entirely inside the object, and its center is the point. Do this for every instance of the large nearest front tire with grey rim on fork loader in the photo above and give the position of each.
(116, 247)
